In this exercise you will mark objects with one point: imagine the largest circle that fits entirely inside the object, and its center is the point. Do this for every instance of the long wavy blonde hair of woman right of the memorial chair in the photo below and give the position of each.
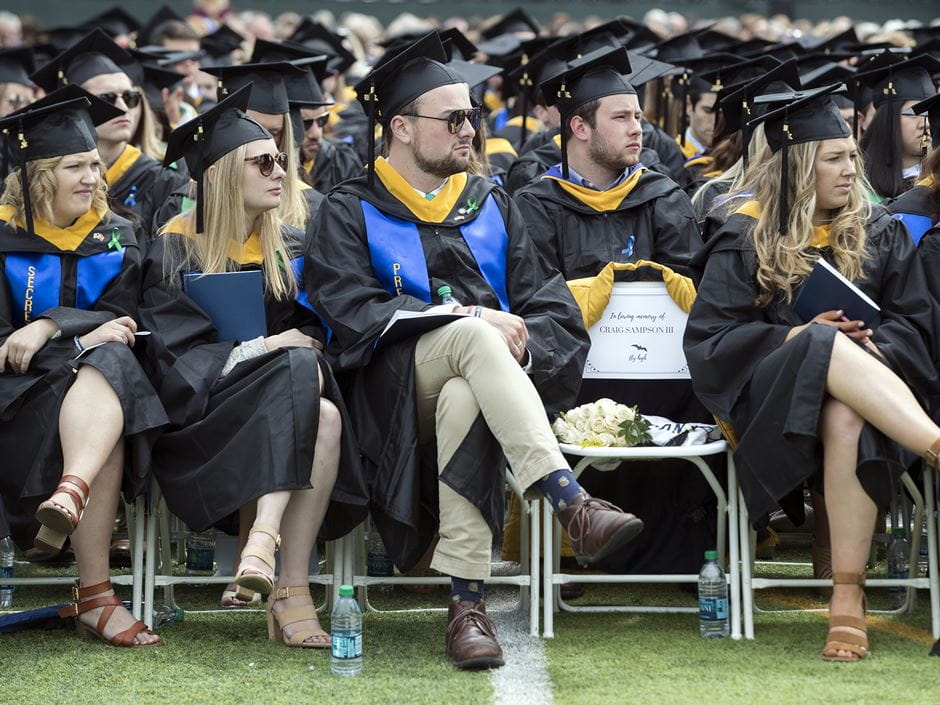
(784, 261)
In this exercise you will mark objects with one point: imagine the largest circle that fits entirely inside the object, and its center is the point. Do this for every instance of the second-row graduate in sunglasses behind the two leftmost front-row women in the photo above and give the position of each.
(137, 184)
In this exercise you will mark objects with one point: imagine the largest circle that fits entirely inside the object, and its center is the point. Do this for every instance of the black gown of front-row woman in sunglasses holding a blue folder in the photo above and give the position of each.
(235, 438)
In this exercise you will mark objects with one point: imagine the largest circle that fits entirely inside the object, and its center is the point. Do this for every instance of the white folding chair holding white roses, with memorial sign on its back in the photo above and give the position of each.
(668, 346)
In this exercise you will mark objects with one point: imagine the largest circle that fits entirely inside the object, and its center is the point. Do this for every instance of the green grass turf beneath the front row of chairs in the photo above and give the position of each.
(594, 659)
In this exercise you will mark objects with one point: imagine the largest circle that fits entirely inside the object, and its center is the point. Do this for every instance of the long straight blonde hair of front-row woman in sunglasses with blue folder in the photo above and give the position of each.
(224, 214)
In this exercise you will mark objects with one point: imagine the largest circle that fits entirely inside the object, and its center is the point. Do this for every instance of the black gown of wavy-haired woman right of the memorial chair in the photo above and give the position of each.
(773, 391)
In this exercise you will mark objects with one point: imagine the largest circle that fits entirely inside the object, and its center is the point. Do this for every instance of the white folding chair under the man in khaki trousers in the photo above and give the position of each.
(527, 580)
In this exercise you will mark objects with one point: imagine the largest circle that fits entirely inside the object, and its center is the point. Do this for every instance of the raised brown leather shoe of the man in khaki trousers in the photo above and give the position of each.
(597, 528)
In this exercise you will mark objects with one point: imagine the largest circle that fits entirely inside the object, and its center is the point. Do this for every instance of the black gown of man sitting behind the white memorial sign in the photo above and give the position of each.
(579, 241)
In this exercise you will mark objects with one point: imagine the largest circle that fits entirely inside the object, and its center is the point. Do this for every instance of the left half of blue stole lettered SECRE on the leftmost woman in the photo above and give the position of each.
(35, 281)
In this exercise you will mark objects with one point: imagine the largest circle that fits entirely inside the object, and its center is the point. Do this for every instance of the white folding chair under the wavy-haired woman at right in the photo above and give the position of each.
(925, 507)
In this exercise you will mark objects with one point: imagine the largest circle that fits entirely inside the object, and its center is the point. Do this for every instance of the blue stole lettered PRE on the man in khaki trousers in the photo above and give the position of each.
(398, 258)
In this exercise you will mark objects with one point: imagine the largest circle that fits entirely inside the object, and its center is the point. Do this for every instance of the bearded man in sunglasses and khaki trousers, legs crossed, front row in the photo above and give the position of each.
(439, 414)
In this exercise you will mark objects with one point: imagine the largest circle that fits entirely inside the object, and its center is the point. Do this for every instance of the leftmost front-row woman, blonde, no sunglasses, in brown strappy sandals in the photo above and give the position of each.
(73, 396)
